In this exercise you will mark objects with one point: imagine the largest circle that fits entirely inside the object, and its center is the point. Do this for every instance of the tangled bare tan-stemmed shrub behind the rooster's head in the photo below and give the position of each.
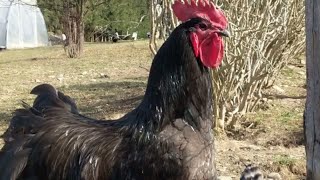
(266, 35)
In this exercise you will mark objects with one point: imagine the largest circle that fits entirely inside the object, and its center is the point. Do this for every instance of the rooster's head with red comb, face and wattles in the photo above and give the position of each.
(206, 25)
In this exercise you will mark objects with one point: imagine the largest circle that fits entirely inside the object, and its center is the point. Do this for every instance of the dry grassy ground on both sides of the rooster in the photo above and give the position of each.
(110, 79)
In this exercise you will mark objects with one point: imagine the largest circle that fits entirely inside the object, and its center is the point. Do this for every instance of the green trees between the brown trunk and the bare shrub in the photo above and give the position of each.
(123, 15)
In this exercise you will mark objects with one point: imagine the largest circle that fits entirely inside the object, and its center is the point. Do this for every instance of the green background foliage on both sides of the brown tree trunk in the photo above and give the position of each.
(122, 15)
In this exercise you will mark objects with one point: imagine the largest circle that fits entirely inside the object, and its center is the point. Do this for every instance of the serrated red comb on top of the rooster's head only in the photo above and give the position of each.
(205, 9)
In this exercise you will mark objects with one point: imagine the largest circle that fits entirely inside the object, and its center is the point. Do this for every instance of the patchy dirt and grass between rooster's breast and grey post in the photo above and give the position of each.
(272, 137)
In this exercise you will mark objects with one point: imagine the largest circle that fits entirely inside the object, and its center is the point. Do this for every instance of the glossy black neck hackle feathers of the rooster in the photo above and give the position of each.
(176, 79)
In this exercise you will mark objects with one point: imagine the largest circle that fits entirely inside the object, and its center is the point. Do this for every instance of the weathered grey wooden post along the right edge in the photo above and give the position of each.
(312, 110)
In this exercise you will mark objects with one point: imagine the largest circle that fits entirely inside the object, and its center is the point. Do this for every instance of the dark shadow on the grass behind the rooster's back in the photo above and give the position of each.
(104, 100)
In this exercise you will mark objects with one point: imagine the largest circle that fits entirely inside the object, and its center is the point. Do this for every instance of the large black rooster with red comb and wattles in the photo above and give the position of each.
(168, 136)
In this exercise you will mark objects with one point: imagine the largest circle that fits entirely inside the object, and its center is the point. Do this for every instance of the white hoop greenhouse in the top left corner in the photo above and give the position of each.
(21, 25)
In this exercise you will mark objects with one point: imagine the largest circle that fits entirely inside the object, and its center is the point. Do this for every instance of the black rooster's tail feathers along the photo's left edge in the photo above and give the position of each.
(24, 124)
